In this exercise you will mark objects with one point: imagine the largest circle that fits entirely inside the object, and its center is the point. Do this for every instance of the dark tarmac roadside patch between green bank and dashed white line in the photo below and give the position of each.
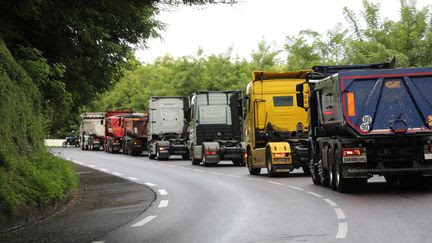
(101, 204)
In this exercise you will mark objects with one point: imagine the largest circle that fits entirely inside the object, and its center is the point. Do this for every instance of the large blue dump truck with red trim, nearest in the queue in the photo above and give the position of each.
(369, 120)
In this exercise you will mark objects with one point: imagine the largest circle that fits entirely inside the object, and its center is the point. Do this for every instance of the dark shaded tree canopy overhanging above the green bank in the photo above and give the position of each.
(86, 44)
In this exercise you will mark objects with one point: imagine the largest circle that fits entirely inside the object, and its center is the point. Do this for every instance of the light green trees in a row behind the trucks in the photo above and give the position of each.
(369, 39)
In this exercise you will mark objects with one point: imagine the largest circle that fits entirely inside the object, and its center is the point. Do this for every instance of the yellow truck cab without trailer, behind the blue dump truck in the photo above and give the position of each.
(276, 127)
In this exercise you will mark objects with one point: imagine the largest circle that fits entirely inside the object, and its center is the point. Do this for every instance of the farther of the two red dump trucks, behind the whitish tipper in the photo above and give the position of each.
(114, 131)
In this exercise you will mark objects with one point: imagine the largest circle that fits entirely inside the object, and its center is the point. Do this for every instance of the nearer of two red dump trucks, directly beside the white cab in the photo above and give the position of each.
(135, 133)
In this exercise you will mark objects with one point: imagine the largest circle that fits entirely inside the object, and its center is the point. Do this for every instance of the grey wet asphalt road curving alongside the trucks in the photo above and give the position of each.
(226, 204)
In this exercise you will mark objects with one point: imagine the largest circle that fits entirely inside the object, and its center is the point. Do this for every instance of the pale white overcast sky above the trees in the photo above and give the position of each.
(215, 28)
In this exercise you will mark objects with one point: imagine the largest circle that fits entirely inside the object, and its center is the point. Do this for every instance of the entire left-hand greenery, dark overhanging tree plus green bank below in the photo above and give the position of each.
(55, 56)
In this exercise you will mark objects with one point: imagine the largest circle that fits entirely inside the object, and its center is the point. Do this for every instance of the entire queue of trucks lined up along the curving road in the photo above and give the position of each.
(341, 124)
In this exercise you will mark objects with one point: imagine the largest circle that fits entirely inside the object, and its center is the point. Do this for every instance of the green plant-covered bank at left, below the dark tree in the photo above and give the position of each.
(29, 174)
